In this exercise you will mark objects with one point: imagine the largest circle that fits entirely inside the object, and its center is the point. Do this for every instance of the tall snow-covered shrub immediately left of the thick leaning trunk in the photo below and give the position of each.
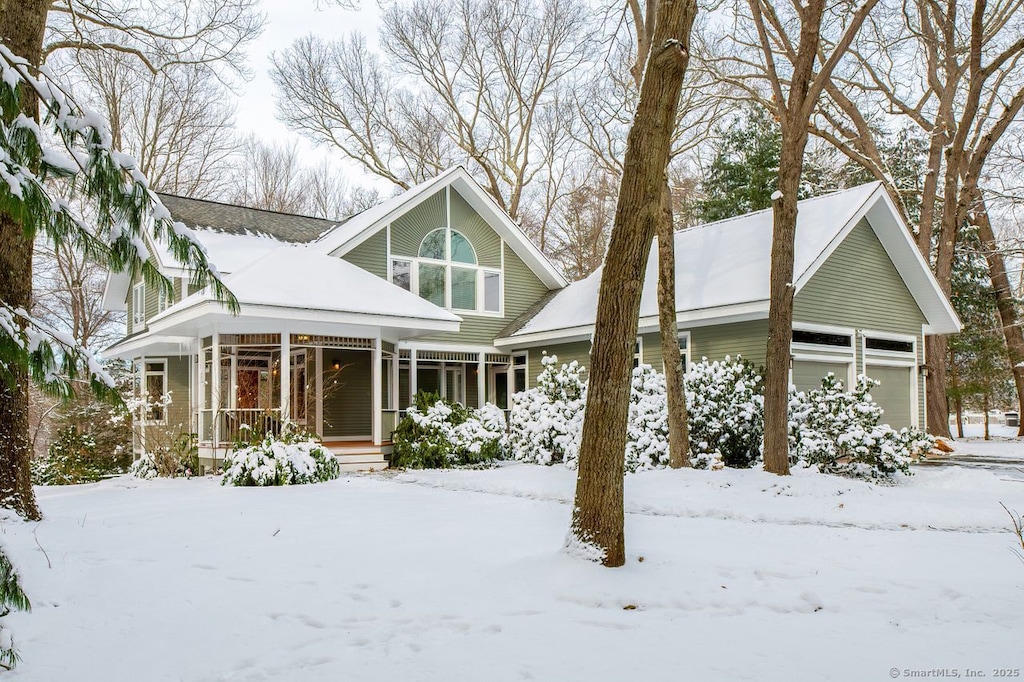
(546, 422)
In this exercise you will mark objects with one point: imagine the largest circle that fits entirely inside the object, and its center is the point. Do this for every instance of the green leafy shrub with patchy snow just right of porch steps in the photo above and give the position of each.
(437, 435)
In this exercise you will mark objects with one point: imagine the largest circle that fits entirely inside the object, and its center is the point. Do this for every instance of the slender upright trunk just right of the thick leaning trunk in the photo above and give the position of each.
(679, 435)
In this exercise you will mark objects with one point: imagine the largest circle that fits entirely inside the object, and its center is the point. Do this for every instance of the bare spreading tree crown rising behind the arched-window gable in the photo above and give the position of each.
(467, 83)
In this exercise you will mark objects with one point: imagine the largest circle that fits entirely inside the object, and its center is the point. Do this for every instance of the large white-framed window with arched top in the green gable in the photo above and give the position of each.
(446, 273)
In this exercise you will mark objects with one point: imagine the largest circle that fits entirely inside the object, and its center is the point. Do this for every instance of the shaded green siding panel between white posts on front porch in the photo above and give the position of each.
(348, 394)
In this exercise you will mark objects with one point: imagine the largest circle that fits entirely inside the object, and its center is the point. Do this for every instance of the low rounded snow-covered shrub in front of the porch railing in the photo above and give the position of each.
(290, 459)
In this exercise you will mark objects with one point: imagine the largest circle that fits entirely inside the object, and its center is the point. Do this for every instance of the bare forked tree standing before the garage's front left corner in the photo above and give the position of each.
(787, 52)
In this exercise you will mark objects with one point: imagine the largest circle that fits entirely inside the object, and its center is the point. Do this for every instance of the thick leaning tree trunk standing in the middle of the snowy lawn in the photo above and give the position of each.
(598, 515)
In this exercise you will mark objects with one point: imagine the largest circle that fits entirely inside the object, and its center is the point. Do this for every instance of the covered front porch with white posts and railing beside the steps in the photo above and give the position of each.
(343, 390)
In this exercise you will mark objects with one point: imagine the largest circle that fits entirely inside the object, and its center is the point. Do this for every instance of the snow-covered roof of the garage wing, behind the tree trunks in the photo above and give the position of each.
(722, 269)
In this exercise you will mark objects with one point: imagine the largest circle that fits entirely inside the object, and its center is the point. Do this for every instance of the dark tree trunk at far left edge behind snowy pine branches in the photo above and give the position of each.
(22, 26)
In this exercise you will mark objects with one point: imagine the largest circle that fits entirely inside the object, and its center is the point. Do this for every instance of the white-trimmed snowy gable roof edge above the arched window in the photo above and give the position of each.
(362, 227)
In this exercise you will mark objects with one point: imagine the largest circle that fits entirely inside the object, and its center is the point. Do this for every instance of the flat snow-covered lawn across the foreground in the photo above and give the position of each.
(458, 576)
